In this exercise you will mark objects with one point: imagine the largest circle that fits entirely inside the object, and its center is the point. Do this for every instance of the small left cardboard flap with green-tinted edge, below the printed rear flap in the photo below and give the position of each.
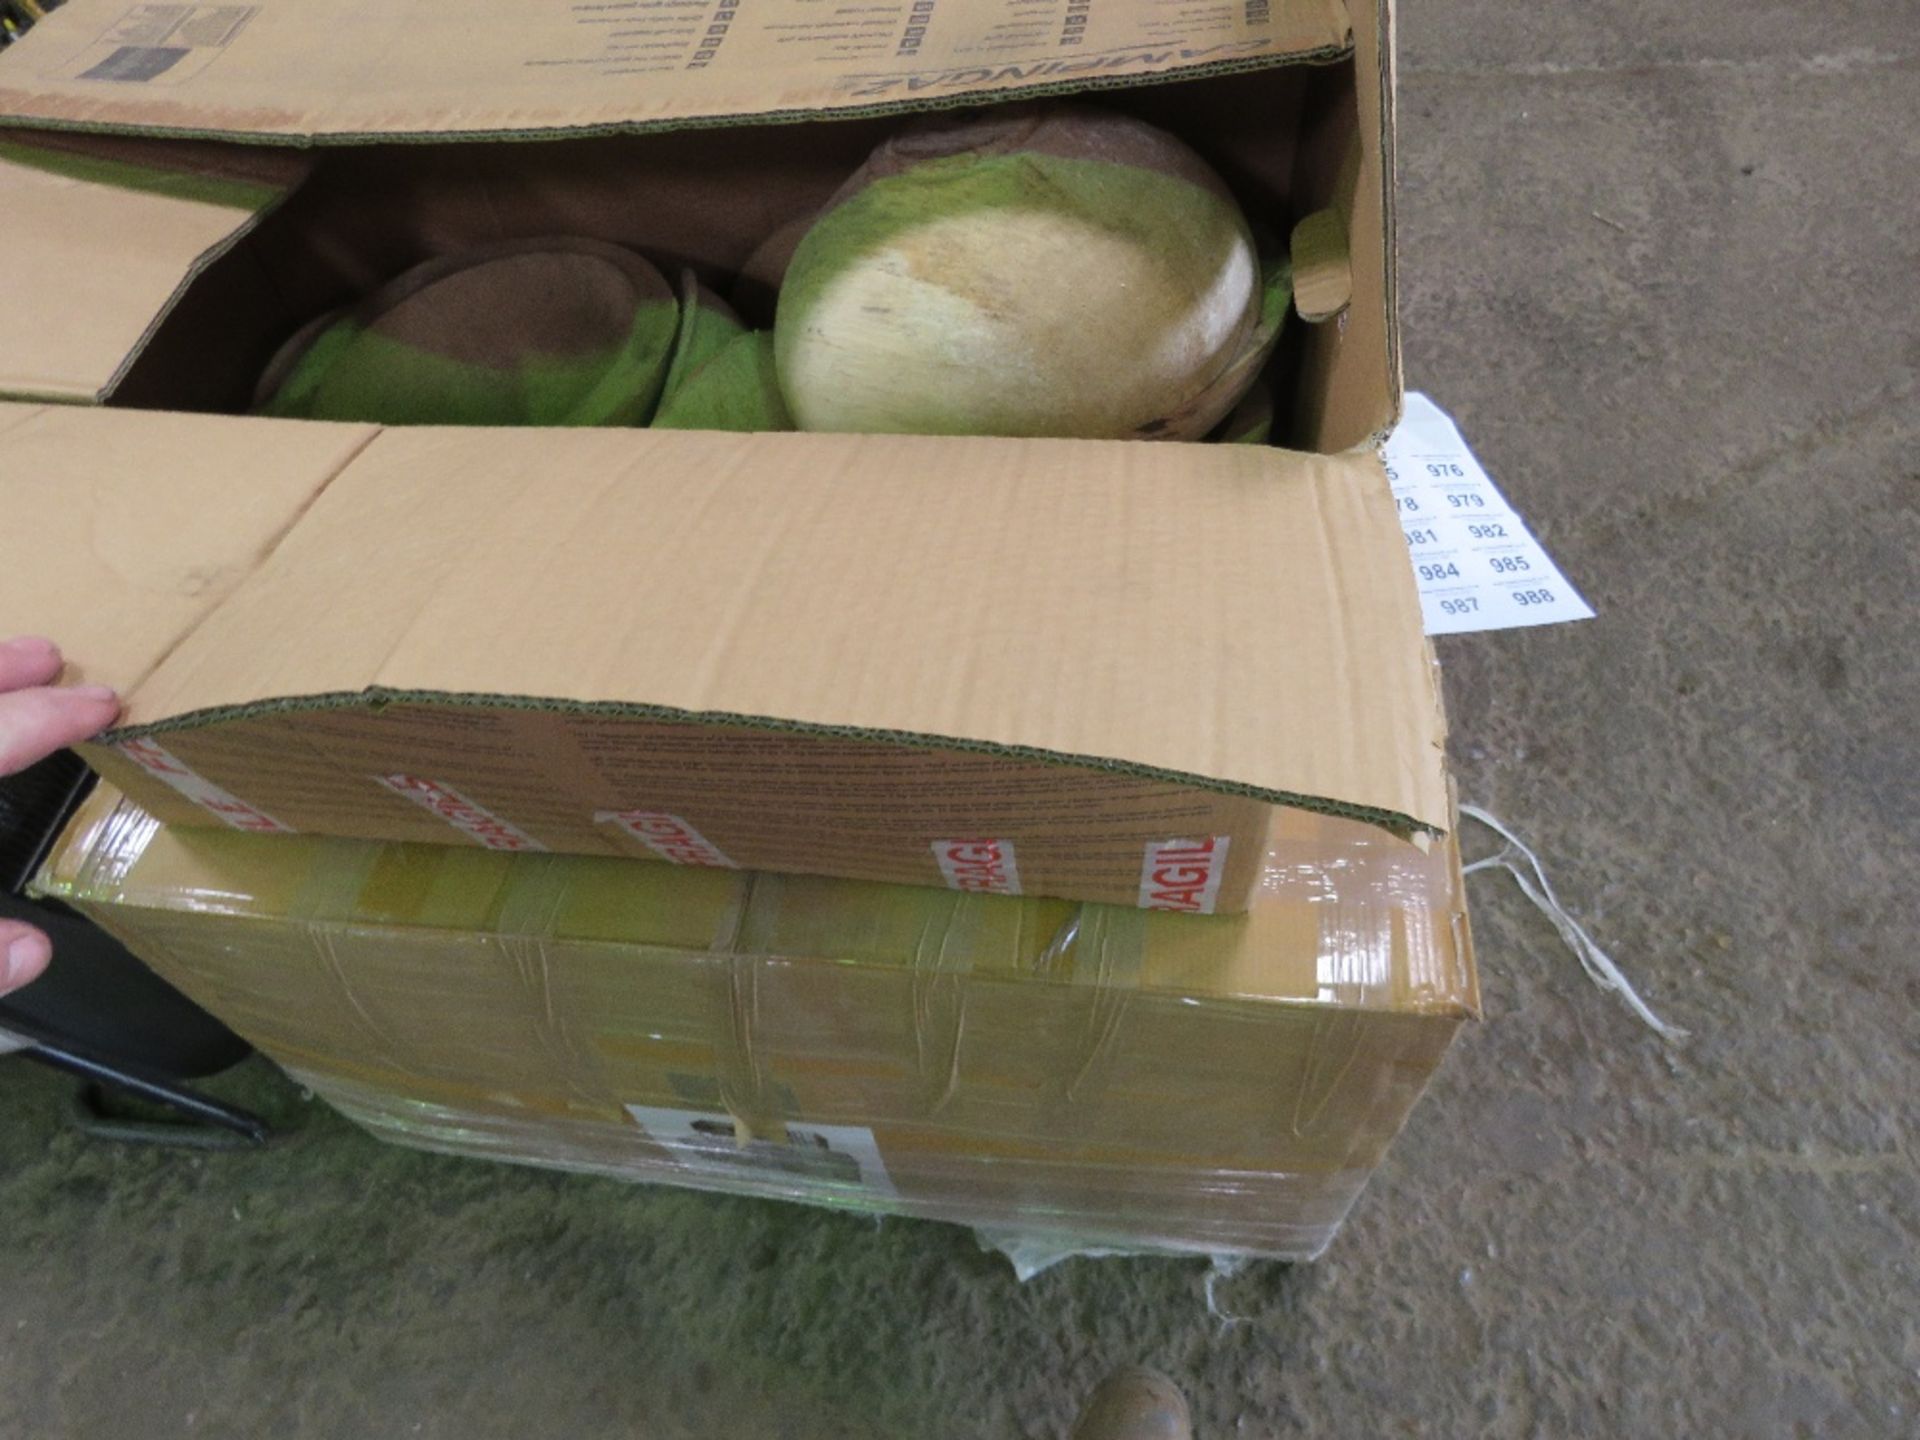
(103, 239)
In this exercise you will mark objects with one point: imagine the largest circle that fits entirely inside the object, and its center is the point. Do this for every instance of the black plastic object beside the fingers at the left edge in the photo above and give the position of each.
(95, 999)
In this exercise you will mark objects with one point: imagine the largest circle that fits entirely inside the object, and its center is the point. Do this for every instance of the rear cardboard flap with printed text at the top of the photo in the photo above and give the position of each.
(402, 68)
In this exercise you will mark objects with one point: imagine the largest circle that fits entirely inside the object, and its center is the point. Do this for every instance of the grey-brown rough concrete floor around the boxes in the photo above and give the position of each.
(1664, 264)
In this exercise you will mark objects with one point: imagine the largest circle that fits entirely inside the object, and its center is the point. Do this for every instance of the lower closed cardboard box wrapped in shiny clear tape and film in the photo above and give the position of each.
(1097, 1074)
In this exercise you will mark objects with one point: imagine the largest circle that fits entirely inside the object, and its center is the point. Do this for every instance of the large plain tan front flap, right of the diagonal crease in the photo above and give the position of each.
(1230, 615)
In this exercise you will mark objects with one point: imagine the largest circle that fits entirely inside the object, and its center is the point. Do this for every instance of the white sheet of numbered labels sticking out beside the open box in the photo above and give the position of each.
(1476, 562)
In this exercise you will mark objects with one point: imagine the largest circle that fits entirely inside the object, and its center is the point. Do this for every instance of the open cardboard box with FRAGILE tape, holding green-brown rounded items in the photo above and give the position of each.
(1080, 669)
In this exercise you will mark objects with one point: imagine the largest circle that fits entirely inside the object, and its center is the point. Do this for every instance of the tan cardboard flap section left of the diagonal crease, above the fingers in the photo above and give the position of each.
(122, 531)
